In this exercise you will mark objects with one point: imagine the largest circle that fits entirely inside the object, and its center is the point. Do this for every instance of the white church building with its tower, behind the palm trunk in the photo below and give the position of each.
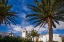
(44, 38)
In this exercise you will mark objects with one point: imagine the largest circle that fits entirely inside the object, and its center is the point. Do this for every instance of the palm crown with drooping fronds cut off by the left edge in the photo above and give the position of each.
(6, 16)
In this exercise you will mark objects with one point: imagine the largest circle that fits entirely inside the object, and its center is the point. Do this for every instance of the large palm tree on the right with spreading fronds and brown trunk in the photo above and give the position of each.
(47, 12)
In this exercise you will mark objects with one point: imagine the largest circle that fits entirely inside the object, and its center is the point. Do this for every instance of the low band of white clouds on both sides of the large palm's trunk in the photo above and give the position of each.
(19, 28)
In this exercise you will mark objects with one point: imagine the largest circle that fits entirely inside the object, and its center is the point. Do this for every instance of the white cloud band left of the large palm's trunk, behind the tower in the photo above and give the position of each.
(18, 28)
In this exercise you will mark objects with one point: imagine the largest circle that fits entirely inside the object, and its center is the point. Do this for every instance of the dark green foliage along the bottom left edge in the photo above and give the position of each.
(14, 39)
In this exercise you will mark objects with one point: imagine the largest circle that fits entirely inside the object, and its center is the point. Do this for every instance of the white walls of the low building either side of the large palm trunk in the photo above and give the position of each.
(45, 38)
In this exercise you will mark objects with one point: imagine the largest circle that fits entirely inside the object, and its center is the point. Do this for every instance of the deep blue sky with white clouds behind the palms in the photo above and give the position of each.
(20, 6)
